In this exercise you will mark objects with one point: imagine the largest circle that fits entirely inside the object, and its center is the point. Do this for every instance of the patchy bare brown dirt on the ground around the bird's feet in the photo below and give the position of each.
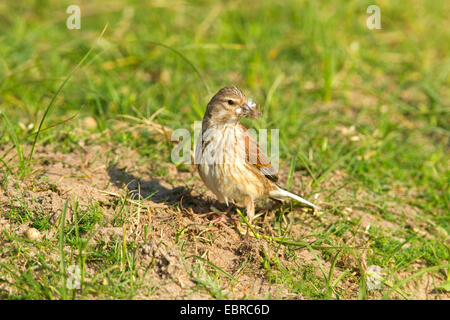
(106, 174)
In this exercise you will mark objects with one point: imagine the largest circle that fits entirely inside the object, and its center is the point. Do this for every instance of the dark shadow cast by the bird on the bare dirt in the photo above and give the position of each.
(154, 191)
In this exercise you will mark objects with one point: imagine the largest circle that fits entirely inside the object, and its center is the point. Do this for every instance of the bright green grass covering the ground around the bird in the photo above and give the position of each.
(363, 118)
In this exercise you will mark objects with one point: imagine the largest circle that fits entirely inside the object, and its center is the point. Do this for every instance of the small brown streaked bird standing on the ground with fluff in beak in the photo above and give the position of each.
(229, 160)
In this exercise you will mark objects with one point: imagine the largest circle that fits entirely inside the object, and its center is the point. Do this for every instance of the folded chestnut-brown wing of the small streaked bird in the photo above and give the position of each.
(257, 158)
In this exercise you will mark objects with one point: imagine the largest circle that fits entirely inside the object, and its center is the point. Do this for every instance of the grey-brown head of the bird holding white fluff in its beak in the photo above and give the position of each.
(229, 105)
